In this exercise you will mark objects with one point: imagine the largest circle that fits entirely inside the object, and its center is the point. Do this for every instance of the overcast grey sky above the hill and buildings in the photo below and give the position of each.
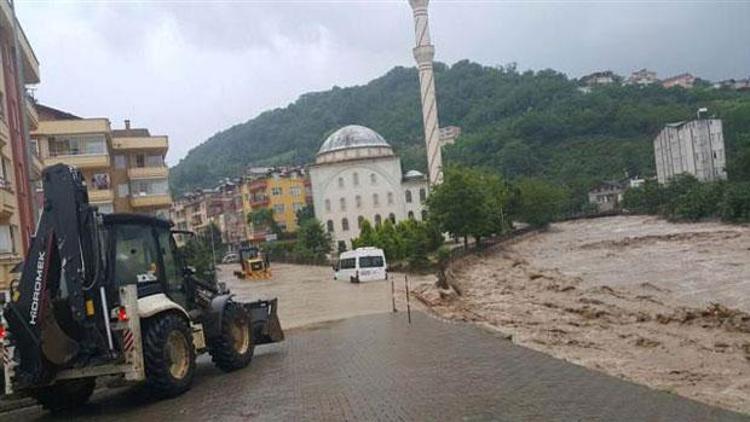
(188, 69)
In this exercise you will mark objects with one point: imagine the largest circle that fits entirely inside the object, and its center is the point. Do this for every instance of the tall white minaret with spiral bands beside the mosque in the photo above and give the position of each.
(424, 52)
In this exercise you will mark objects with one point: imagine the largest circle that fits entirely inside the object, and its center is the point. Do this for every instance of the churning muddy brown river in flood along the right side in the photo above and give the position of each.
(623, 318)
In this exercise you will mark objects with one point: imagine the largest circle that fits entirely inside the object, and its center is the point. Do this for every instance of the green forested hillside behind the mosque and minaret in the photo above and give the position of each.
(514, 123)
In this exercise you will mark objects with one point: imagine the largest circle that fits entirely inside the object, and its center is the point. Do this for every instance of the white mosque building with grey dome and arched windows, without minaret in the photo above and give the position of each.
(357, 176)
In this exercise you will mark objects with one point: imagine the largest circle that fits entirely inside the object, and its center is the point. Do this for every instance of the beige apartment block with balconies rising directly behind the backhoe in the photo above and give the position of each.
(124, 169)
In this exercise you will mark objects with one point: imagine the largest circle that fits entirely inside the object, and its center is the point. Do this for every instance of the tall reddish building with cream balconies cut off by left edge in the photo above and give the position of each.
(18, 69)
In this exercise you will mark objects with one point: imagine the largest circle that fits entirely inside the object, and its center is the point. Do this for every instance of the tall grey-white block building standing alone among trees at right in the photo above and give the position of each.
(695, 147)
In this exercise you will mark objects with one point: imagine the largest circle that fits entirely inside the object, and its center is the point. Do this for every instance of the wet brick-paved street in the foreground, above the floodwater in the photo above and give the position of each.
(376, 367)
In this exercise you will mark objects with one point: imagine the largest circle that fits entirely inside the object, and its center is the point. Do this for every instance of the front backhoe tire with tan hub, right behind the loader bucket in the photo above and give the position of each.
(233, 347)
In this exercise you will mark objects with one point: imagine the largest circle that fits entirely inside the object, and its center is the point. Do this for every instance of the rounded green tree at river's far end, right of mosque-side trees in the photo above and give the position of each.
(540, 201)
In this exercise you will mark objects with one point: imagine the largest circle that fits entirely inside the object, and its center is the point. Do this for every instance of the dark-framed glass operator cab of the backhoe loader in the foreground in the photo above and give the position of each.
(143, 252)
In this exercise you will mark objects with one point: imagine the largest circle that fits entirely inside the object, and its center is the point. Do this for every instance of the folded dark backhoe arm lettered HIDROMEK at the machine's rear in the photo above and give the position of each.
(62, 271)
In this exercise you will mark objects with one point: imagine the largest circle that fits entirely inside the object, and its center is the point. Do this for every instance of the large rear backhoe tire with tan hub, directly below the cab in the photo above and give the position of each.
(168, 354)
